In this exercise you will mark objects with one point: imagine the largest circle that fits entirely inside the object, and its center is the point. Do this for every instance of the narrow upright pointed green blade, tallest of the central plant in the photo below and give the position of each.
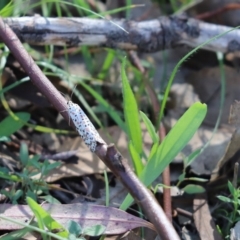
(131, 112)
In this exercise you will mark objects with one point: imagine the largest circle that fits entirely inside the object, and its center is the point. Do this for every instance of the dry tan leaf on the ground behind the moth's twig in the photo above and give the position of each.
(88, 162)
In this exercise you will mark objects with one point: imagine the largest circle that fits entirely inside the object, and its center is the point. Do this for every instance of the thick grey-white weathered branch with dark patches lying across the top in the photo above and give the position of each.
(145, 36)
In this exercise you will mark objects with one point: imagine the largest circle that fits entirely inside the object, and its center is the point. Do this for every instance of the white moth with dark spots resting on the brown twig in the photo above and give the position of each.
(84, 127)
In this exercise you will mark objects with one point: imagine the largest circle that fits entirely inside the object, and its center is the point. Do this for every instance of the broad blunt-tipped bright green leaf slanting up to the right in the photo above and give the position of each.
(172, 144)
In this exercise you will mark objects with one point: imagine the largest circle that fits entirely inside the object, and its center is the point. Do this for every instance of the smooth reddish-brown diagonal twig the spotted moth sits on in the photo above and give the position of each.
(108, 154)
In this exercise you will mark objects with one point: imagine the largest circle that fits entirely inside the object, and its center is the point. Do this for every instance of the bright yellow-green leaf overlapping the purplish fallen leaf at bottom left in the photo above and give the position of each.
(48, 221)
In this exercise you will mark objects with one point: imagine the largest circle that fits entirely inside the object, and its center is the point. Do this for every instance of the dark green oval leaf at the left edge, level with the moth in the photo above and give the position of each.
(10, 125)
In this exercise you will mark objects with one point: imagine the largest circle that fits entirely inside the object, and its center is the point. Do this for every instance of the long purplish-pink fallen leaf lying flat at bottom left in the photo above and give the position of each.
(116, 221)
